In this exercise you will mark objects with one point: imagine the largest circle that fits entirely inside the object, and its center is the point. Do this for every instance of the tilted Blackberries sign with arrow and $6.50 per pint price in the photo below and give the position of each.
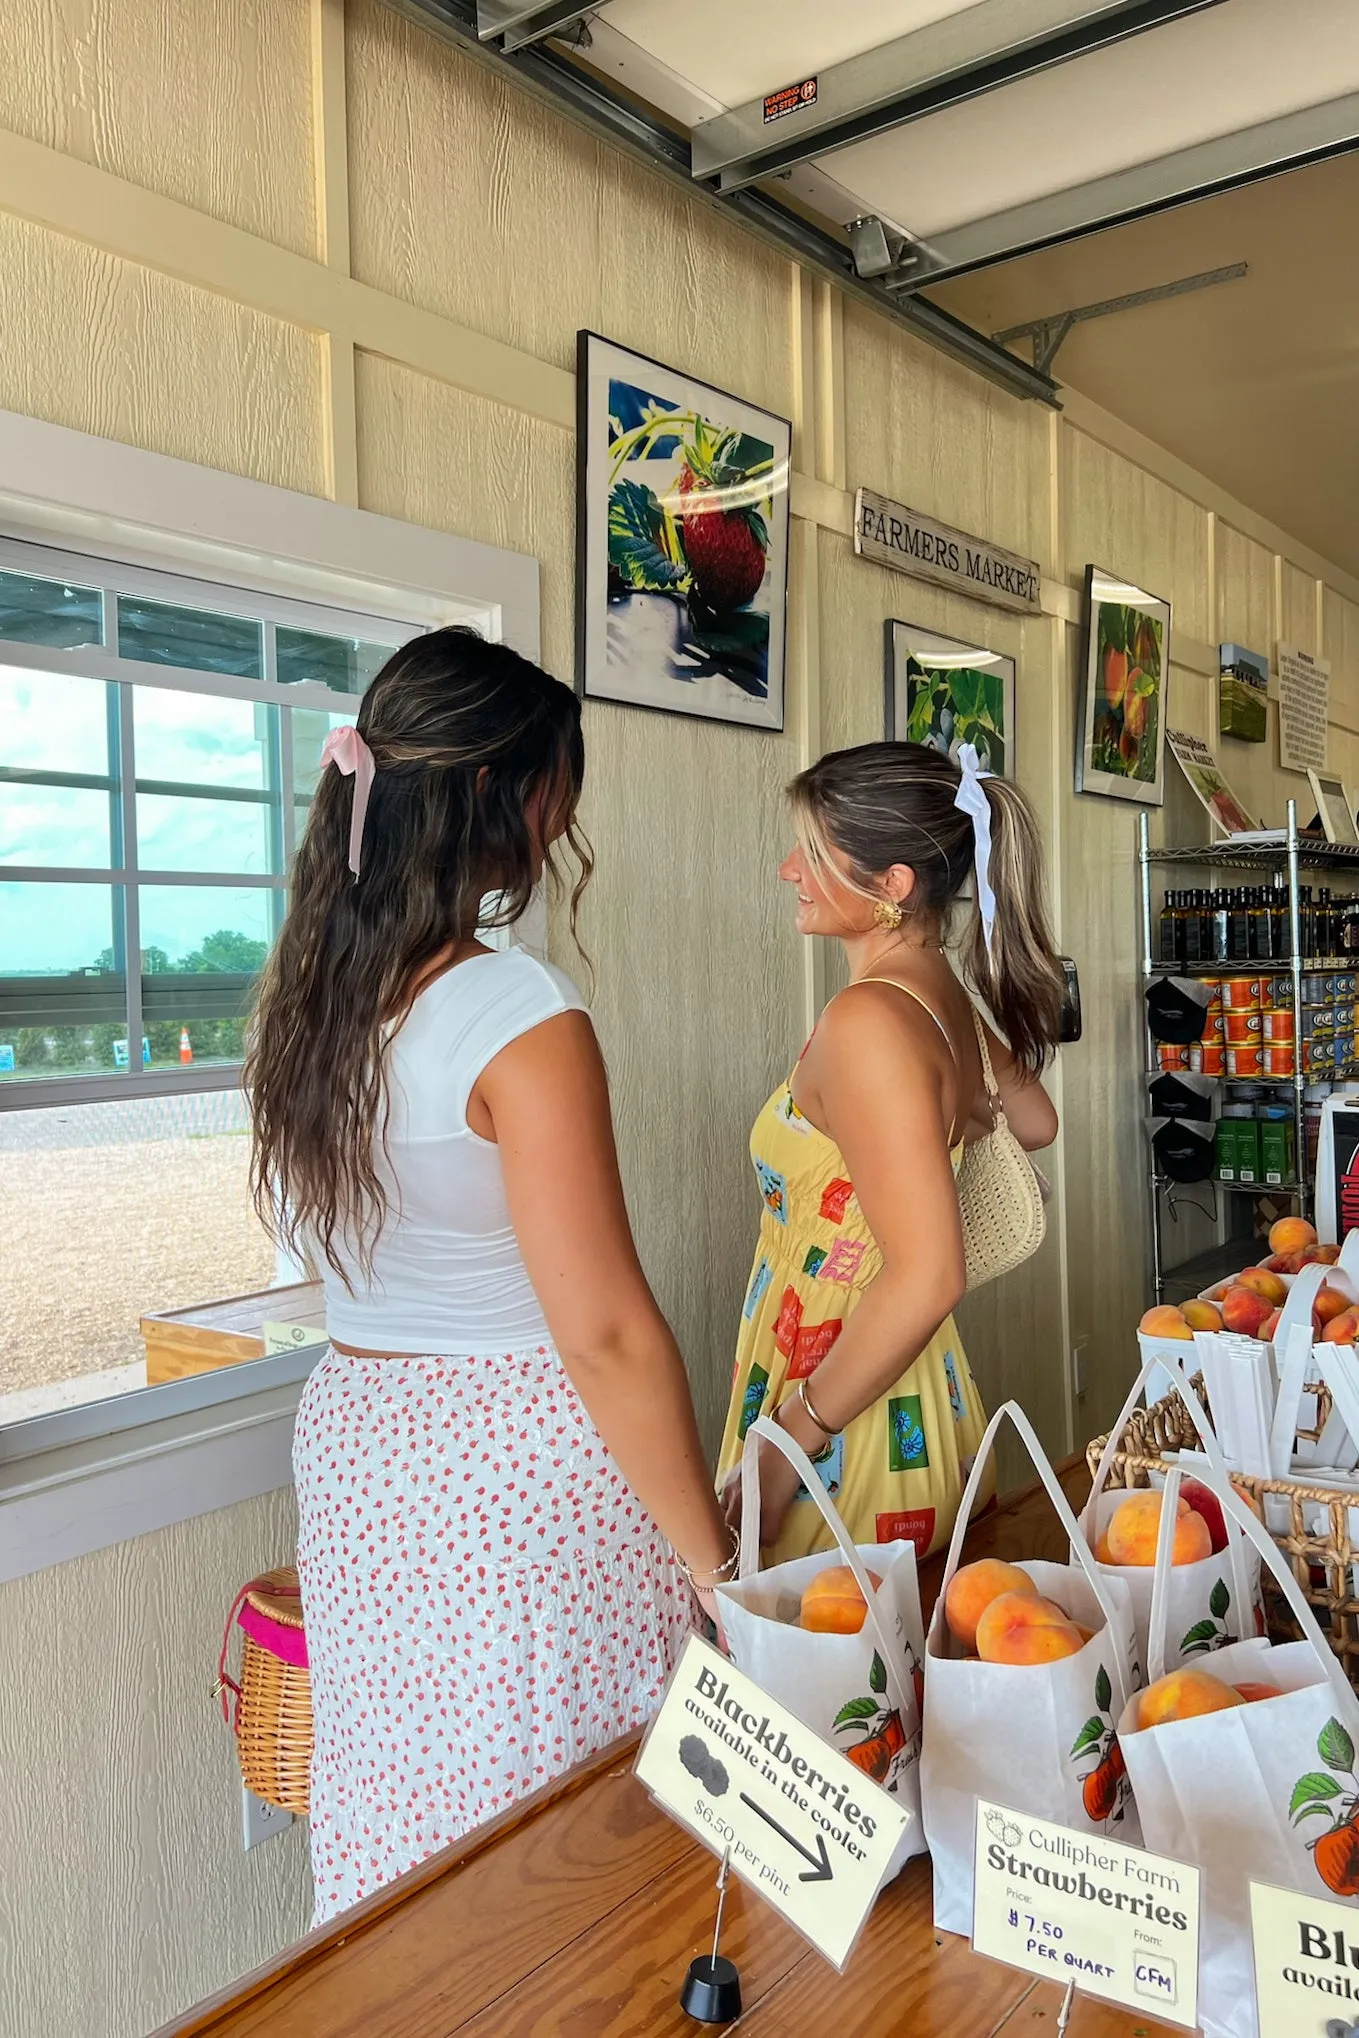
(804, 1827)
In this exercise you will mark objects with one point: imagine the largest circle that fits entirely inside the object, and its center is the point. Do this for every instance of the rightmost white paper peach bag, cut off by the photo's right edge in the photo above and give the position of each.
(1262, 1792)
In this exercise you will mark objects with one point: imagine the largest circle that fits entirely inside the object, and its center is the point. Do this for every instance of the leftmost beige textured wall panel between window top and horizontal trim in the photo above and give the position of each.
(105, 347)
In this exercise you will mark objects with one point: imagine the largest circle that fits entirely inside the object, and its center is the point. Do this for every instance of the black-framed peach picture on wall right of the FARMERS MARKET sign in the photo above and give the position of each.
(1122, 718)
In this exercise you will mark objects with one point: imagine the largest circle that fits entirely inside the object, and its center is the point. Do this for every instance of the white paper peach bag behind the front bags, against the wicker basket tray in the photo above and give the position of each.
(1209, 1603)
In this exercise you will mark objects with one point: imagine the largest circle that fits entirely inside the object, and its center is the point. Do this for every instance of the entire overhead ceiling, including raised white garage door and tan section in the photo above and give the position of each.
(1012, 160)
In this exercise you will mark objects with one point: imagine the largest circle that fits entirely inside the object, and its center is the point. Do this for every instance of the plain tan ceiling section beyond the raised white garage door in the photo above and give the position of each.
(1254, 382)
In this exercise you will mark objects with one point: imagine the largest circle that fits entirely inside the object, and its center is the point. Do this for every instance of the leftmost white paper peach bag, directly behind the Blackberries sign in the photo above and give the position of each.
(859, 1693)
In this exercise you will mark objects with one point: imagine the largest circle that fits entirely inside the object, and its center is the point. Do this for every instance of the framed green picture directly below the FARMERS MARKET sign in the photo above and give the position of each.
(944, 692)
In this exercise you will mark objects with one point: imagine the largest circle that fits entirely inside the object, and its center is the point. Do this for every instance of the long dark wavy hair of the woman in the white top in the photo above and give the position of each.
(478, 767)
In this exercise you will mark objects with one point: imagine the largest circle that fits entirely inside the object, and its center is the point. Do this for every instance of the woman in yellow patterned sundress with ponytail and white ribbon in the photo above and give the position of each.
(849, 1334)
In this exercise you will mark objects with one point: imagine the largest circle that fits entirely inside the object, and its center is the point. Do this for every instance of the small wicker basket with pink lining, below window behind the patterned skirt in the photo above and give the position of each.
(274, 1699)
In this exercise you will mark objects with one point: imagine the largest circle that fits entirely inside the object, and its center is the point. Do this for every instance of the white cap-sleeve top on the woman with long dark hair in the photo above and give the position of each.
(447, 1269)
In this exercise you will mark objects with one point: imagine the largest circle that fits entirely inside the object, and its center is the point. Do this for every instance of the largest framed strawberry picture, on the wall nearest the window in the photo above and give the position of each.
(682, 543)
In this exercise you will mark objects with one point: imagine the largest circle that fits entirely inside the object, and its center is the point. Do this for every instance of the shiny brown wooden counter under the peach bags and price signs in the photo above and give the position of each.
(578, 1915)
